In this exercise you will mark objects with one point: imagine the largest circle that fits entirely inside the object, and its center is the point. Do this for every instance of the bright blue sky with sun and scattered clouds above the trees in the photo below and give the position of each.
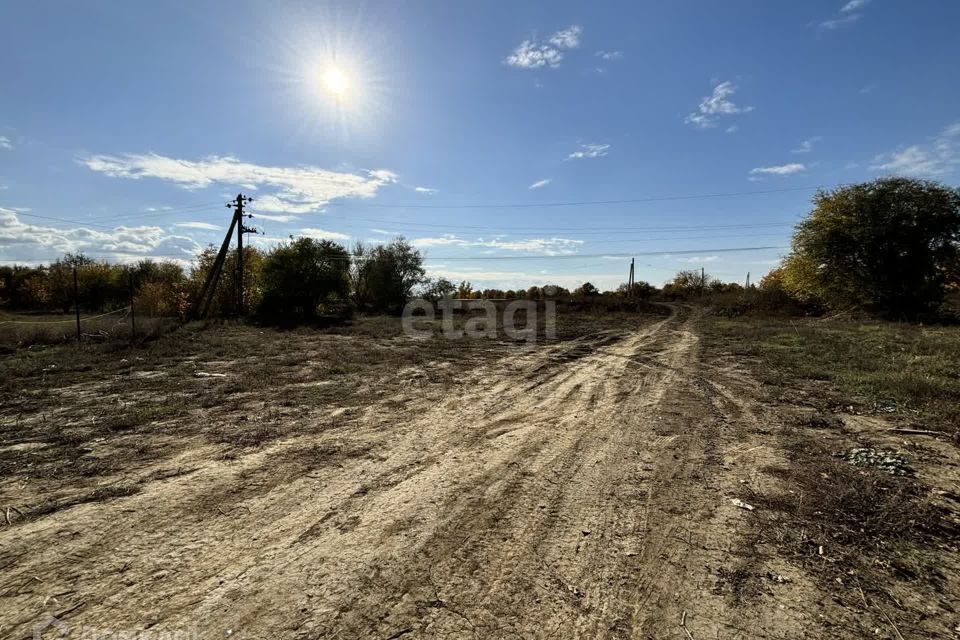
(132, 123)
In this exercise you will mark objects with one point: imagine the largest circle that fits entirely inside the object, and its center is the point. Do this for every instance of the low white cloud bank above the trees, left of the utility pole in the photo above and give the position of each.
(34, 243)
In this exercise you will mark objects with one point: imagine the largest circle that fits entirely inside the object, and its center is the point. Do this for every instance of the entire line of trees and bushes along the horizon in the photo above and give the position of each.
(889, 246)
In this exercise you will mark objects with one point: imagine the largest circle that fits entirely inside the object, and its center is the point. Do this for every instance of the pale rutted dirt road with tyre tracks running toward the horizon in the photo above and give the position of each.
(581, 490)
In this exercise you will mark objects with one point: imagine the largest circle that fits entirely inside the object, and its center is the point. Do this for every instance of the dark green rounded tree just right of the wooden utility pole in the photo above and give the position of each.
(297, 277)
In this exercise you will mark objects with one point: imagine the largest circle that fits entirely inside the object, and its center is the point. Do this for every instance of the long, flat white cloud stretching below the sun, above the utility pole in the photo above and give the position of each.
(301, 189)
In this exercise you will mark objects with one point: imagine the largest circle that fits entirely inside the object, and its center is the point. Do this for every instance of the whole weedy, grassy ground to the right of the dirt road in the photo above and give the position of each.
(877, 540)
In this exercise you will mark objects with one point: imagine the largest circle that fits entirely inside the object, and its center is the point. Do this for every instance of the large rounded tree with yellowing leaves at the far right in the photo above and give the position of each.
(887, 245)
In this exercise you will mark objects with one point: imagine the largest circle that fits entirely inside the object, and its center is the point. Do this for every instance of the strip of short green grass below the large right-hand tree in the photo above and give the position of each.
(908, 371)
